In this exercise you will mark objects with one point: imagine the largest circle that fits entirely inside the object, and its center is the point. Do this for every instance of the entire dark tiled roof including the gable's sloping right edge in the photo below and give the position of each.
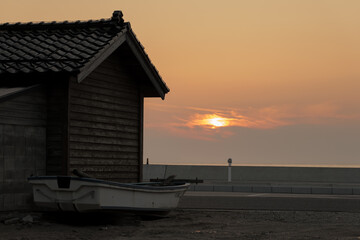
(70, 47)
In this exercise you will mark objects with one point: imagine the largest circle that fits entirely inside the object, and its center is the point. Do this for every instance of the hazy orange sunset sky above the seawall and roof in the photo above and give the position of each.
(264, 82)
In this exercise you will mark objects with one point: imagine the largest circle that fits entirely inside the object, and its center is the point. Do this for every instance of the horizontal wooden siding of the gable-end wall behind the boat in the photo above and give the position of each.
(105, 124)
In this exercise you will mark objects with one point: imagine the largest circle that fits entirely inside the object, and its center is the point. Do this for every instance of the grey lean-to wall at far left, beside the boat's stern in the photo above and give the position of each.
(22, 146)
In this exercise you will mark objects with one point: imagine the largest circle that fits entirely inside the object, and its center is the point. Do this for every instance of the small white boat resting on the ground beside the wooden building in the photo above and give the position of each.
(68, 193)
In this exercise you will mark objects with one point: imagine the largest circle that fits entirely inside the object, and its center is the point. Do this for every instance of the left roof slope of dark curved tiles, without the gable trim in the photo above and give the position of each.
(55, 46)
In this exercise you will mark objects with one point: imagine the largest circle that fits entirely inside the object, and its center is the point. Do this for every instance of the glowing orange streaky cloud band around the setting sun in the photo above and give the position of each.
(212, 124)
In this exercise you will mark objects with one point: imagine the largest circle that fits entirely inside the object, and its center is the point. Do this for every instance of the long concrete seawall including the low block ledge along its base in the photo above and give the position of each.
(295, 180)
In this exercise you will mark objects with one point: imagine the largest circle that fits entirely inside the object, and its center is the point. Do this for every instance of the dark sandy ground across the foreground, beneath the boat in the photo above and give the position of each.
(184, 224)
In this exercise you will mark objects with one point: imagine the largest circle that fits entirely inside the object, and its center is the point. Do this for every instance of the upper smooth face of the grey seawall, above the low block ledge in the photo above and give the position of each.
(254, 174)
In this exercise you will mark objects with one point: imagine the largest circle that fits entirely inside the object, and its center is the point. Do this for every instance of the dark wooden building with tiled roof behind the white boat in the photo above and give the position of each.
(71, 96)
